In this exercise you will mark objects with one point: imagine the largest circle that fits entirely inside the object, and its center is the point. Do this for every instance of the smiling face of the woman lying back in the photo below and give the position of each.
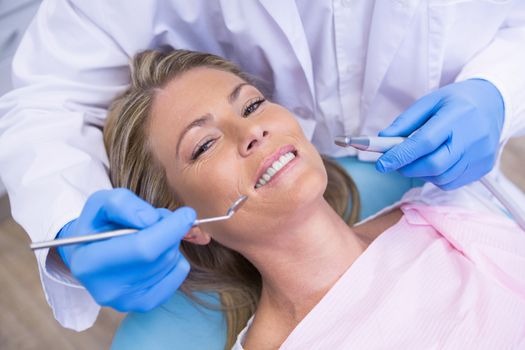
(216, 136)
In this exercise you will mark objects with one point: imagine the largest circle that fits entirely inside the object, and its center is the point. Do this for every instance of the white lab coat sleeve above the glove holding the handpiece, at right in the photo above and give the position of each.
(502, 63)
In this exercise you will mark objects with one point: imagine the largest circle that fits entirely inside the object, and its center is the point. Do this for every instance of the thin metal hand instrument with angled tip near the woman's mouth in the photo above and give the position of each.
(122, 232)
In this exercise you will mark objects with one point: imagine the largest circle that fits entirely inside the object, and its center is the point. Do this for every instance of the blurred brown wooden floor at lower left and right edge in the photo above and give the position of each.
(26, 322)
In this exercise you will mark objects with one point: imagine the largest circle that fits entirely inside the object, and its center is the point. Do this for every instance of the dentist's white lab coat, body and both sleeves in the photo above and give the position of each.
(342, 67)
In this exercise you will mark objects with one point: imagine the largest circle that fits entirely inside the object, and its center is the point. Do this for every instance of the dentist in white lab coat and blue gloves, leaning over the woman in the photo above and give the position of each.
(452, 70)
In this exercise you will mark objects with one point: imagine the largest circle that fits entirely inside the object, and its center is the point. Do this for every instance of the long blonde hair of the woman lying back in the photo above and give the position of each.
(214, 267)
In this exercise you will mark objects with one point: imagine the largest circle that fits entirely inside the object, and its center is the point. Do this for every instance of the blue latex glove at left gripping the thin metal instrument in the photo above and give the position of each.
(136, 272)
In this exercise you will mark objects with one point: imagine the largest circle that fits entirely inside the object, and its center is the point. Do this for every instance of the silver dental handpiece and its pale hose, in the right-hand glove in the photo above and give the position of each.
(383, 144)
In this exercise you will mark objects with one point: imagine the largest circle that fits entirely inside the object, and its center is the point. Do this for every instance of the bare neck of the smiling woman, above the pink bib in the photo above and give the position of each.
(308, 259)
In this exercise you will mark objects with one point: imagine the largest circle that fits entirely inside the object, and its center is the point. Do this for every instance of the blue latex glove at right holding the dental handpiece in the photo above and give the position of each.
(456, 142)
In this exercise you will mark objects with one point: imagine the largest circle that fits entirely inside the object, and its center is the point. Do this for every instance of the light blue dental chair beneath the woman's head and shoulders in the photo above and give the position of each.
(183, 324)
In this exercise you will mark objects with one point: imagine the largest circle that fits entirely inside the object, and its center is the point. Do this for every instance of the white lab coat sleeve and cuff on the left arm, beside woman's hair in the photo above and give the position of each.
(65, 73)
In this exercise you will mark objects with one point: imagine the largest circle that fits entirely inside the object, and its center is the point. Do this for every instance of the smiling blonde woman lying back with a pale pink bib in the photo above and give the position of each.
(192, 129)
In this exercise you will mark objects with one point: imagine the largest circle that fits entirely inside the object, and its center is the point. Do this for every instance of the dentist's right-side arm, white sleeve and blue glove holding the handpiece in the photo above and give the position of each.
(463, 127)
